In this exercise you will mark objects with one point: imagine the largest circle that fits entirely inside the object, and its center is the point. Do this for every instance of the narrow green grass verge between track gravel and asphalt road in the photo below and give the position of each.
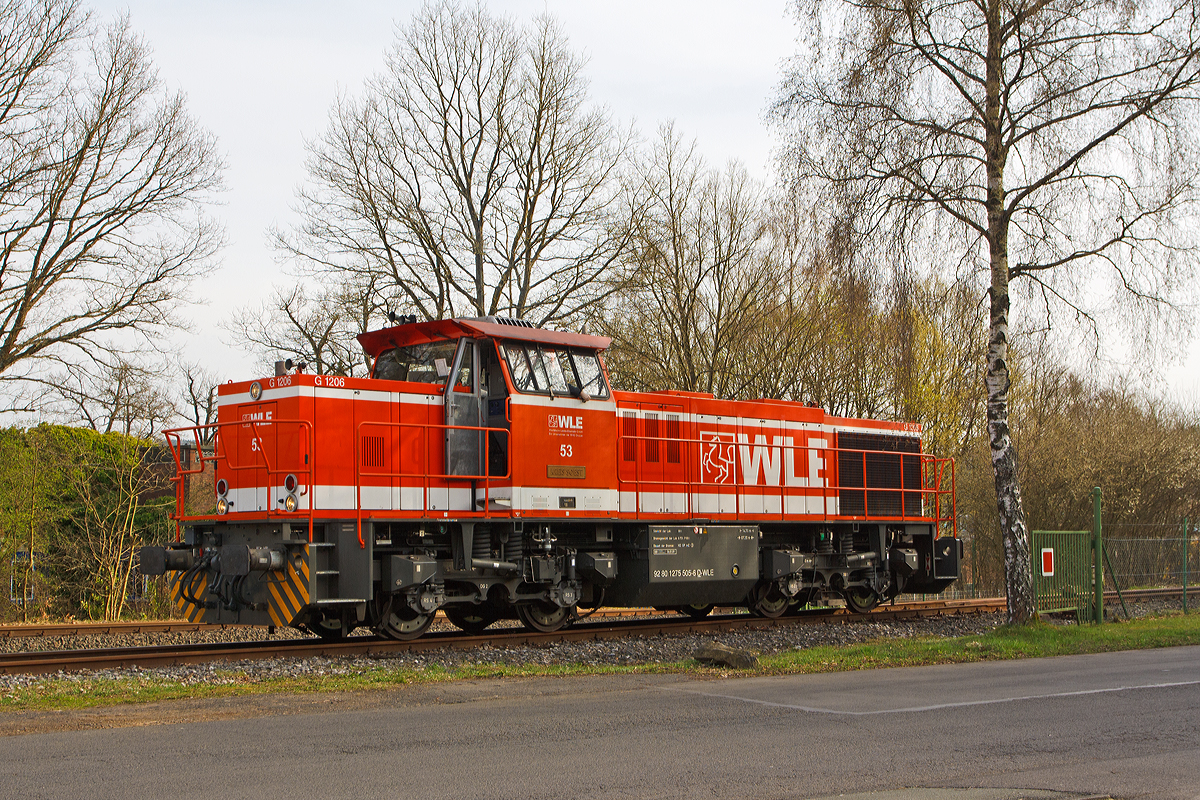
(81, 691)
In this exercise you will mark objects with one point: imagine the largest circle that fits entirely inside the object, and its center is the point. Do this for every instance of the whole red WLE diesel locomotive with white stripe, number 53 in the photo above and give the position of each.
(488, 471)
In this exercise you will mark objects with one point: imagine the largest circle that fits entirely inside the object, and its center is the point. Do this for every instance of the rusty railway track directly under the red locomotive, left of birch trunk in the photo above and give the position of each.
(49, 661)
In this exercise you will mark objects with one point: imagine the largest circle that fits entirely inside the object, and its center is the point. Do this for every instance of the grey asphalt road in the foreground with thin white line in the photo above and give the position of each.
(1123, 725)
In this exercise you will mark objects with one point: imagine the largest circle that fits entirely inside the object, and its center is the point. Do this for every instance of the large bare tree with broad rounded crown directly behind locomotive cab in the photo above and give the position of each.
(472, 176)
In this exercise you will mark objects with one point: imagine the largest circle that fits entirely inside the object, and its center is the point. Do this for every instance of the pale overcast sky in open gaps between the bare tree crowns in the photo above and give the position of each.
(262, 76)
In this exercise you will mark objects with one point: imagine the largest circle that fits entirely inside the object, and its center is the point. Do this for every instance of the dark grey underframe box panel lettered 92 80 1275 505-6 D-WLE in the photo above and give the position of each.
(704, 554)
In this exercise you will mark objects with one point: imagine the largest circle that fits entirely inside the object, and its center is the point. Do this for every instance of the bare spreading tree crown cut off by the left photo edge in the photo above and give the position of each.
(103, 177)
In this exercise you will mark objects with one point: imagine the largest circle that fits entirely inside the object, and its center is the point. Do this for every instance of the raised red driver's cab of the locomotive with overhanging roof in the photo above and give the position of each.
(513, 390)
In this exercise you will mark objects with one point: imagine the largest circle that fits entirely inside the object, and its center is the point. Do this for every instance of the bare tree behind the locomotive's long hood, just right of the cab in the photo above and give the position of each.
(700, 288)
